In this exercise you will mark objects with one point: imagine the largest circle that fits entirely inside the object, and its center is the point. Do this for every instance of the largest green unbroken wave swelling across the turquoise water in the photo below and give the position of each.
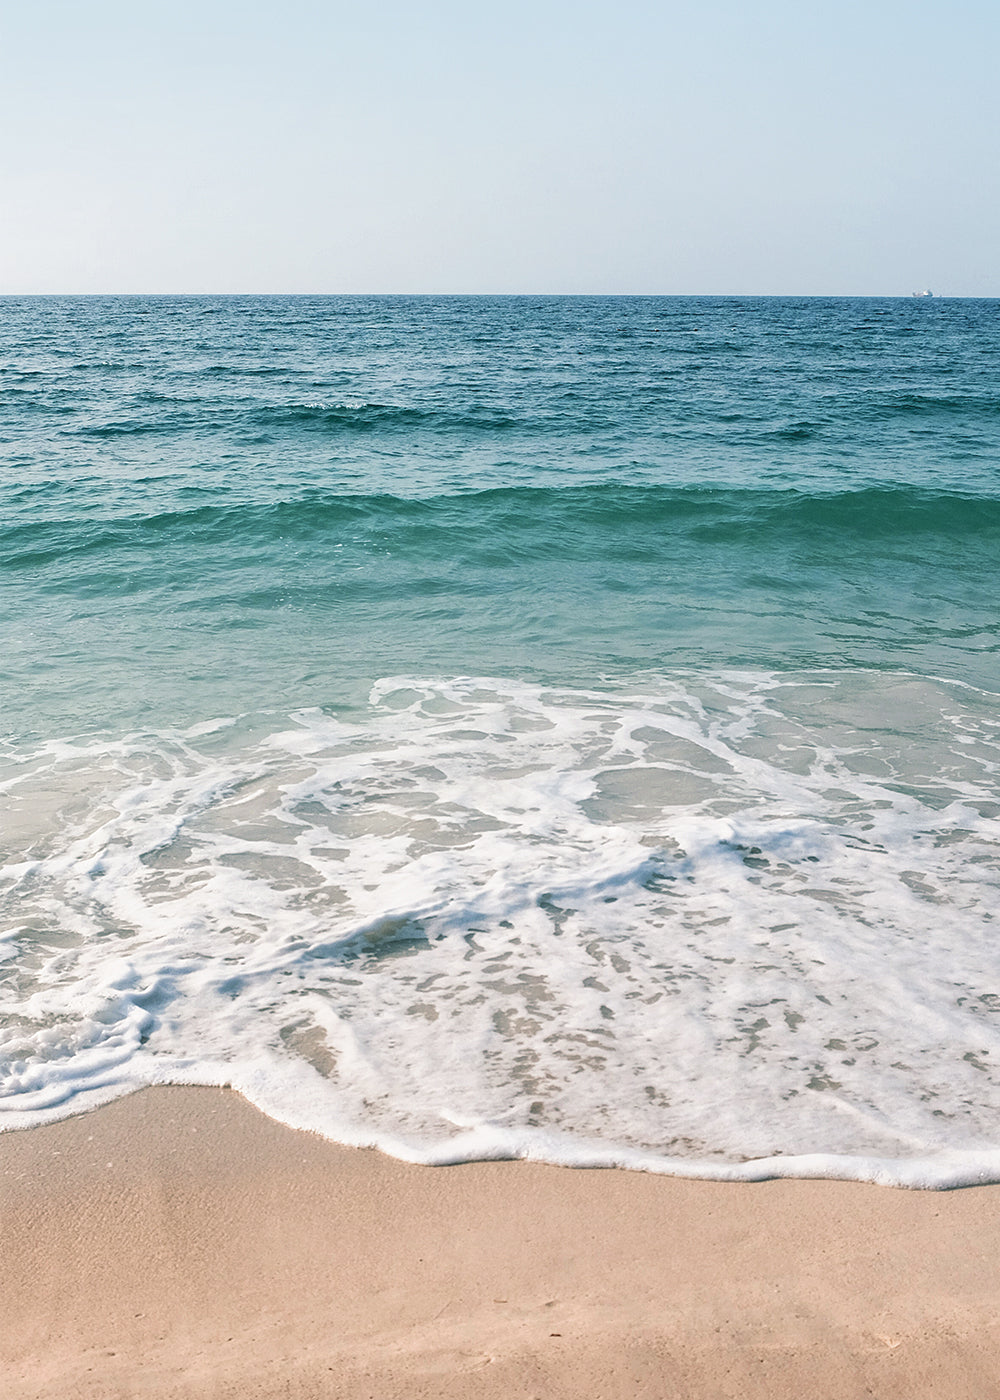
(533, 519)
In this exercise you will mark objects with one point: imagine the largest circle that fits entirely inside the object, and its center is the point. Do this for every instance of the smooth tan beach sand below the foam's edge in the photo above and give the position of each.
(177, 1244)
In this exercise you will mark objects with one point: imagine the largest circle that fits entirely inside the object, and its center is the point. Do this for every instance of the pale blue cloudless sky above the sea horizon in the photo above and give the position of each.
(673, 148)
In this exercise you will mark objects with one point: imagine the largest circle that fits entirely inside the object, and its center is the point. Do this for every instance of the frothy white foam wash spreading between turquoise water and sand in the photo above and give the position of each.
(732, 927)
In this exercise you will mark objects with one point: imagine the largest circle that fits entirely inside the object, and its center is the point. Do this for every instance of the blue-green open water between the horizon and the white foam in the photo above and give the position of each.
(246, 502)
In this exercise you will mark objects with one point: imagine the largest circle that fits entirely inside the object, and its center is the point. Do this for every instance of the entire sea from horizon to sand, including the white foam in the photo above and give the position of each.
(511, 727)
